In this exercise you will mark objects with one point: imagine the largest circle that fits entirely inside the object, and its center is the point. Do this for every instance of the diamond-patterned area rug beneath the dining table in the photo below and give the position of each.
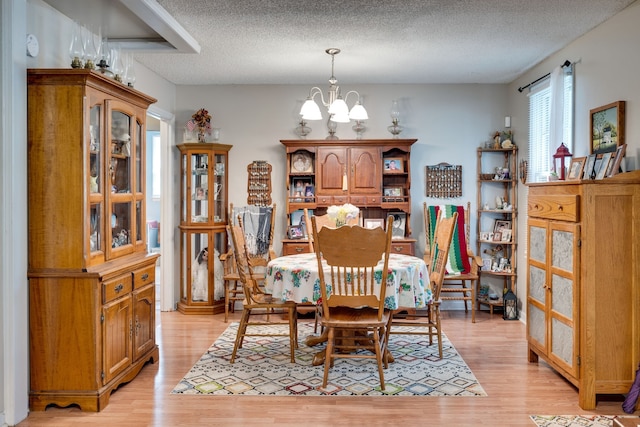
(262, 367)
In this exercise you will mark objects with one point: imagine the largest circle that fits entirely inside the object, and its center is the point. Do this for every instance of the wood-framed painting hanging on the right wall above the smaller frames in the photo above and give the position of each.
(607, 127)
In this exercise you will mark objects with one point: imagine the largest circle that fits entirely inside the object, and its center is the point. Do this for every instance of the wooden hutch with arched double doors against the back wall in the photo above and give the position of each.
(374, 175)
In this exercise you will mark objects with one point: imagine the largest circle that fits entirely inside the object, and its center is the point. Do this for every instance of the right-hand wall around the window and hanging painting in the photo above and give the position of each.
(606, 71)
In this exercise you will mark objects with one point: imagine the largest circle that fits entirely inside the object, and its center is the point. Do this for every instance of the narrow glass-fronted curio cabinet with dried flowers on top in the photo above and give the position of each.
(203, 222)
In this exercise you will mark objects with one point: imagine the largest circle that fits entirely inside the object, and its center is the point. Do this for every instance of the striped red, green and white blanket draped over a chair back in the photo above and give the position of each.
(458, 262)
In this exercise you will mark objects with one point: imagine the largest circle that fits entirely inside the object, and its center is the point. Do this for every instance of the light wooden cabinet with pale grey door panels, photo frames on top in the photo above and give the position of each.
(583, 303)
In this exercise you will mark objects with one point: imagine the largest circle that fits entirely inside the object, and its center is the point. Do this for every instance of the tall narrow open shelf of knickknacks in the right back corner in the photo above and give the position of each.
(497, 222)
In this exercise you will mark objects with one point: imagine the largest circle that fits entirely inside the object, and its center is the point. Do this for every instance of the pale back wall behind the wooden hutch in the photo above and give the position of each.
(449, 121)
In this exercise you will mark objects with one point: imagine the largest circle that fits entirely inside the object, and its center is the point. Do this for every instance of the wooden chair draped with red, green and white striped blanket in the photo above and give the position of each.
(462, 275)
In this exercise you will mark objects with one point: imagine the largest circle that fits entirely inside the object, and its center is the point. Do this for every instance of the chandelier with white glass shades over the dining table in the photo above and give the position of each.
(337, 106)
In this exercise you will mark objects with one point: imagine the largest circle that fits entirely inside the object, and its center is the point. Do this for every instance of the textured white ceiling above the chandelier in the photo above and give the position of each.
(391, 41)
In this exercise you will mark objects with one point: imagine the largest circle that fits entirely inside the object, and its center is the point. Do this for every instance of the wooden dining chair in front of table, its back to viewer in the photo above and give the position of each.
(353, 309)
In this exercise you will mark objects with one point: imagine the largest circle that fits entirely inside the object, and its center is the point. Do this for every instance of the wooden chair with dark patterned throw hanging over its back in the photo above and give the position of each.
(233, 289)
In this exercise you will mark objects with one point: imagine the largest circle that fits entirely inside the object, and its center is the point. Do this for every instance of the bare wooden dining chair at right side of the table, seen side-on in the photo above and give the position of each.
(427, 321)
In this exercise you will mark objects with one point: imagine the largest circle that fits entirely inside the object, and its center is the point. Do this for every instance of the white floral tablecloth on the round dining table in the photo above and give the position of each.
(295, 278)
